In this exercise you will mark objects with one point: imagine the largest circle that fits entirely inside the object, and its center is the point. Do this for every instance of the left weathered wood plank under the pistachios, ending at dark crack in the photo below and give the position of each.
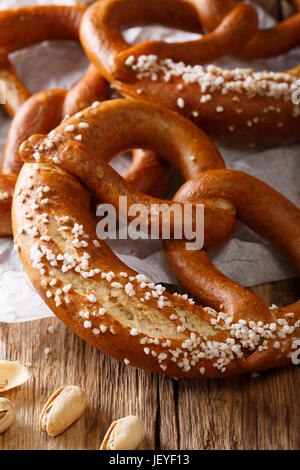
(114, 389)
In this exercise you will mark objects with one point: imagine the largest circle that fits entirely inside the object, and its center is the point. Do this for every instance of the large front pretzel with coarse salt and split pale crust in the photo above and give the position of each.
(111, 306)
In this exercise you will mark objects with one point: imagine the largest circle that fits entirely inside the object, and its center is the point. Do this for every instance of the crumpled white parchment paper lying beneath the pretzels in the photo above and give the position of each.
(246, 257)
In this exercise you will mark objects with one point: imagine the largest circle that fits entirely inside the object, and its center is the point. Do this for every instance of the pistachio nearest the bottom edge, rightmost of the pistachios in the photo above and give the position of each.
(123, 434)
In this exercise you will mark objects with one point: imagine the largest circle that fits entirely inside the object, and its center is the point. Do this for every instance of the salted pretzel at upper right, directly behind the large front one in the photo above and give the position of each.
(234, 106)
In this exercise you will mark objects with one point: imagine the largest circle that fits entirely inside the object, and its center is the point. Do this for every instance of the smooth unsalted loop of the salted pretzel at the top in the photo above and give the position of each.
(103, 23)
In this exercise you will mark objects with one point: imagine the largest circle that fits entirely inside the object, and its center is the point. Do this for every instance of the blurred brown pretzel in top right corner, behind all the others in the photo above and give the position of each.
(270, 42)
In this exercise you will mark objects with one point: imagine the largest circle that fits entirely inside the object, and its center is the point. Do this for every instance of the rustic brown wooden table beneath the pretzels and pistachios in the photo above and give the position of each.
(237, 413)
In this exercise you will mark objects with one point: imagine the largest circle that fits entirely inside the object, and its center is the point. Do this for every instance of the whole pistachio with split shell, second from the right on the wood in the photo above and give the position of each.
(64, 407)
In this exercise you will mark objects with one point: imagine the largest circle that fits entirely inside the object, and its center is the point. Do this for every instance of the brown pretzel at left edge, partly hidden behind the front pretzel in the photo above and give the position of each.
(42, 112)
